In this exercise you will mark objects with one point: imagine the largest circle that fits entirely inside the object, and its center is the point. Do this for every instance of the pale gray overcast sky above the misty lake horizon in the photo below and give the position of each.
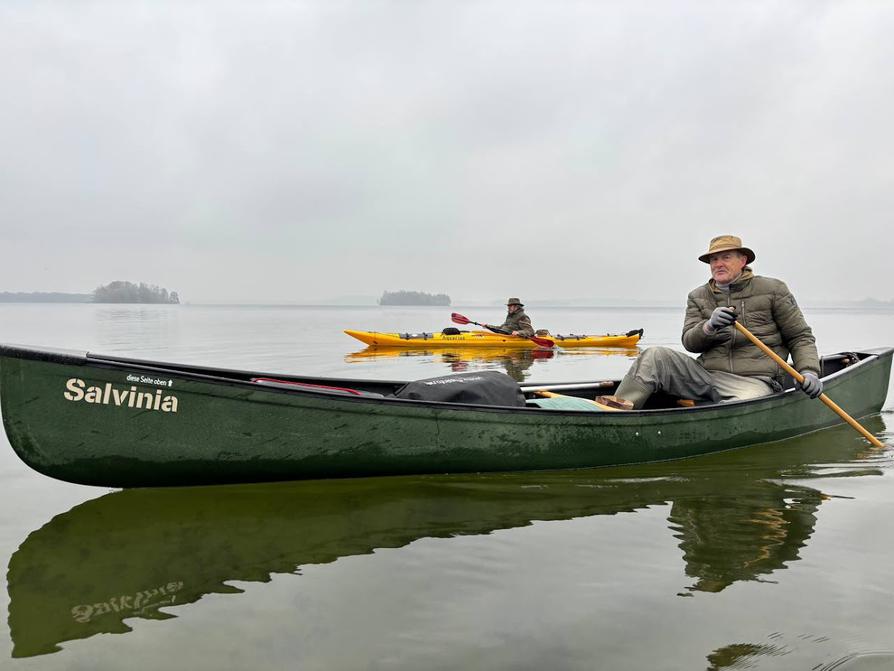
(298, 151)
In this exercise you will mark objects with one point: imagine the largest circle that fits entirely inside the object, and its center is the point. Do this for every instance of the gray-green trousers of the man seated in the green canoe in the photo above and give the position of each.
(670, 371)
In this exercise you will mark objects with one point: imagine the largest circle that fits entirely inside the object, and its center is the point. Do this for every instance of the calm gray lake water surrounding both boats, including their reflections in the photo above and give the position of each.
(772, 557)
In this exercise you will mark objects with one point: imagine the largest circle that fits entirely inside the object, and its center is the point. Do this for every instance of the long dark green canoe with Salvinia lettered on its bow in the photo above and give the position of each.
(116, 422)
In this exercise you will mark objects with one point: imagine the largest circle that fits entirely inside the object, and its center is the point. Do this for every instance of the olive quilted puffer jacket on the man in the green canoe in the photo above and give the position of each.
(764, 306)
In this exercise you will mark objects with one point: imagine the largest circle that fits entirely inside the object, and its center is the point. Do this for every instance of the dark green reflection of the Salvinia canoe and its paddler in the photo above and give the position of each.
(132, 553)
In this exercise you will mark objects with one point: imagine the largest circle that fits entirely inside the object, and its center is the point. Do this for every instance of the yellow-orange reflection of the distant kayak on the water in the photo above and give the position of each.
(516, 362)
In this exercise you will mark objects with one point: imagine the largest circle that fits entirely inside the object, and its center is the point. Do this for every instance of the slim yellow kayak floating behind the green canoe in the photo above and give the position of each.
(488, 339)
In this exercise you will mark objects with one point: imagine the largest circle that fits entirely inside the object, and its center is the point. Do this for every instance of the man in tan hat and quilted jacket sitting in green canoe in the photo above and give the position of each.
(729, 366)
